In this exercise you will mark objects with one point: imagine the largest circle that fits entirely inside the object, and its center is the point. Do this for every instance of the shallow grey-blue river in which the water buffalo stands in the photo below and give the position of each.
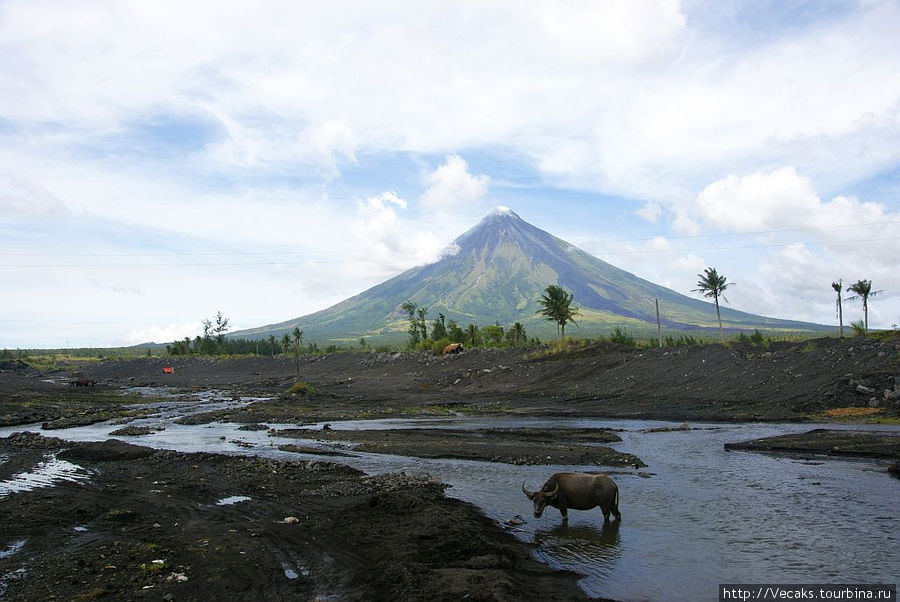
(696, 517)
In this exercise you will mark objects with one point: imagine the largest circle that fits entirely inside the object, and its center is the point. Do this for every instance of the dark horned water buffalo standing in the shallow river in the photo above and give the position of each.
(578, 491)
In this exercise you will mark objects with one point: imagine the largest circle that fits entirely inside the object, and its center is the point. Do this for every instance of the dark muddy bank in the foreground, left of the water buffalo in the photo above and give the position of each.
(161, 525)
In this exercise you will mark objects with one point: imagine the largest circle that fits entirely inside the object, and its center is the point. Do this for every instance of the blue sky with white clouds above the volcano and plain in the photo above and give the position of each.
(163, 161)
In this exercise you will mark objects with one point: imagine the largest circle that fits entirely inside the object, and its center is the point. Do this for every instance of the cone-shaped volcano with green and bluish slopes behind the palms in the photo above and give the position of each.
(495, 274)
